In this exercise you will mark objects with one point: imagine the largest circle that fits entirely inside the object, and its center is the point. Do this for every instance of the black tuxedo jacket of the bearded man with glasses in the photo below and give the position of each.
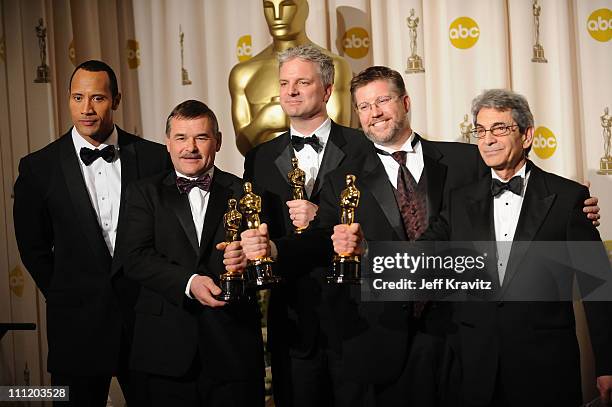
(372, 337)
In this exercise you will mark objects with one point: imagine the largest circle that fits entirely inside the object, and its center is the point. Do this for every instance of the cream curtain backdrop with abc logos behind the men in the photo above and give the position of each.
(466, 47)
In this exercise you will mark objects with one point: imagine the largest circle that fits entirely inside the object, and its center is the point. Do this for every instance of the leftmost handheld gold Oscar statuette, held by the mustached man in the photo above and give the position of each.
(232, 282)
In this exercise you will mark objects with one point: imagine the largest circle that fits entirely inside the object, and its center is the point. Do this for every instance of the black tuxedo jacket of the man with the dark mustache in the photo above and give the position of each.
(162, 248)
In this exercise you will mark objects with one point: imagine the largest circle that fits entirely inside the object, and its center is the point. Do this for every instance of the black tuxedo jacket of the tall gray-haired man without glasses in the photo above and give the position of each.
(294, 310)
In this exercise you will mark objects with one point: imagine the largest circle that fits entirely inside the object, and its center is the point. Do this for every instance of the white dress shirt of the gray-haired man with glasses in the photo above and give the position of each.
(506, 212)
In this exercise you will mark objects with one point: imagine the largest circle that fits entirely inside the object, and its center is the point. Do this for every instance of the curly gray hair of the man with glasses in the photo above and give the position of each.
(502, 99)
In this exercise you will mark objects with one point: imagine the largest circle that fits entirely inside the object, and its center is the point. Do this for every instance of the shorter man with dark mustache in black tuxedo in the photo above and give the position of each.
(195, 349)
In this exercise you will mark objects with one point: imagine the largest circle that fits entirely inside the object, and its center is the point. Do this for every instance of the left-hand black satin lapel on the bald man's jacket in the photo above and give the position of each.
(83, 208)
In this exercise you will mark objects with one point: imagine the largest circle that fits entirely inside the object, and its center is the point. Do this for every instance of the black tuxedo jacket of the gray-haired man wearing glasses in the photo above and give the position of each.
(530, 347)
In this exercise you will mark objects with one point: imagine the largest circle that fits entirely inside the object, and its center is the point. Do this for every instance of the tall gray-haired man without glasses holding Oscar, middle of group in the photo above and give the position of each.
(300, 360)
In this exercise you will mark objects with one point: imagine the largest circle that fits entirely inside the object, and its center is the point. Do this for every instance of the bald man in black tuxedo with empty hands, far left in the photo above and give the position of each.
(69, 224)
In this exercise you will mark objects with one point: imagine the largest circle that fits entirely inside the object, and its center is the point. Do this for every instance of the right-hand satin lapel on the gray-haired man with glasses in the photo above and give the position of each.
(536, 205)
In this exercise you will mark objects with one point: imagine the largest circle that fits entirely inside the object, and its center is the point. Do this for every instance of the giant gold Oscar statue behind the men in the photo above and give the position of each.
(253, 84)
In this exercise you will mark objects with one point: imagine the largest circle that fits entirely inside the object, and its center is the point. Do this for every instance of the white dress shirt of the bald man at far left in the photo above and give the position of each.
(103, 182)
